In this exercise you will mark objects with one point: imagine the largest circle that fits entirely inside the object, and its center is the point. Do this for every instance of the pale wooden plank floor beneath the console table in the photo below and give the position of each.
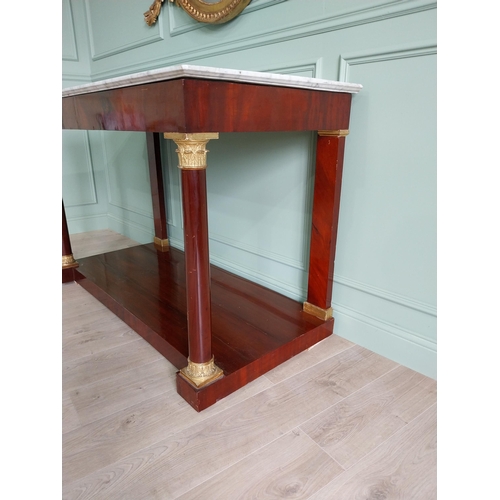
(335, 422)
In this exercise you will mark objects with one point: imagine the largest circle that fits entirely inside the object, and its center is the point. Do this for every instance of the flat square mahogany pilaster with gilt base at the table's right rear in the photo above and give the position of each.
(326, 205)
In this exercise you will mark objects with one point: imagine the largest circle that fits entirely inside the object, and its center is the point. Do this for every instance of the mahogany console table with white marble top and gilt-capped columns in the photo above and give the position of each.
(219, 330)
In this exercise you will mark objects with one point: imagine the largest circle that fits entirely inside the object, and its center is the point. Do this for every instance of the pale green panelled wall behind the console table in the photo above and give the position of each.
(260, 185)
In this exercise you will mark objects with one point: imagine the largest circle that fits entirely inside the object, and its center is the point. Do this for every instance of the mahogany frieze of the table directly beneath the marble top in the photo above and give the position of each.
(197, 105)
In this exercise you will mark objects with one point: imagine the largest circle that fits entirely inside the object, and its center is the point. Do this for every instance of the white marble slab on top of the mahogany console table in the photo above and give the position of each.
(232, 75)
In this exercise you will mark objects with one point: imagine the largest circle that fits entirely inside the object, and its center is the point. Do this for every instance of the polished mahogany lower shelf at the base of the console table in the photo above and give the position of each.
(253, 329)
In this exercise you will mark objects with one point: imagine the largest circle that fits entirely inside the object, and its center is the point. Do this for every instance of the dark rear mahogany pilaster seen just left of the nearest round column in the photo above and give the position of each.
(157, 190)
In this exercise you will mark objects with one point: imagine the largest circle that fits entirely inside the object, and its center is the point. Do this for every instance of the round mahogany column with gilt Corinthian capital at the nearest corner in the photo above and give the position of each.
(201, 368)
